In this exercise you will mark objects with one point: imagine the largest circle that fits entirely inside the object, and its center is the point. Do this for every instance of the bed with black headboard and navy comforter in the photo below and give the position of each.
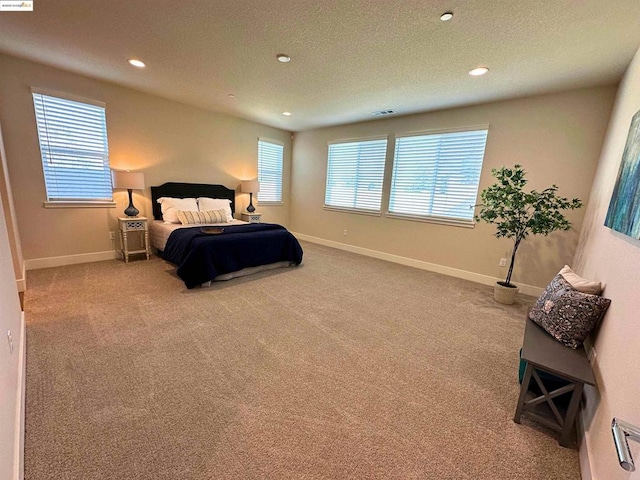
(220, 251)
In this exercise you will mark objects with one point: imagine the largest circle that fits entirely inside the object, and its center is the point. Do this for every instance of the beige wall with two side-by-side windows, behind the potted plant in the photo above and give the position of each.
(556, 137)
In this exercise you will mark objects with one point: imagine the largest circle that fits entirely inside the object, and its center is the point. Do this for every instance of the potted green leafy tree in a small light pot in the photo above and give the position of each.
(517, 214)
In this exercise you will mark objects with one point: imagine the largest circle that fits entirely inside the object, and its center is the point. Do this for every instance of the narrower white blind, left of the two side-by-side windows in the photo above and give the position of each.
(355, 172)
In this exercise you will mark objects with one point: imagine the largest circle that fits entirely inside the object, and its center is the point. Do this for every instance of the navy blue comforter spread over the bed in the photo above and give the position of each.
(202, 257)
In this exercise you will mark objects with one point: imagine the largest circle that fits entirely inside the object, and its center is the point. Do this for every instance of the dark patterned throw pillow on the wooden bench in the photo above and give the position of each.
(567, 314)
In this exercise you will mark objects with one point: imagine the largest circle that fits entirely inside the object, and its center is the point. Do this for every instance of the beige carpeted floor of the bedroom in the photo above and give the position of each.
(345, 367)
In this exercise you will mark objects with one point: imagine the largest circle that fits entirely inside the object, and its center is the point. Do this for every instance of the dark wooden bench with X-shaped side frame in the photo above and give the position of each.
(544, 354)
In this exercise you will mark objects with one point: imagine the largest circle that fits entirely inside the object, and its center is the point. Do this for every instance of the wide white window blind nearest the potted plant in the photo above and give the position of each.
(437, 175)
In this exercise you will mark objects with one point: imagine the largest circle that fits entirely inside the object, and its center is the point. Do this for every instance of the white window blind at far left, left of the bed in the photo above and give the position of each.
(74, 149)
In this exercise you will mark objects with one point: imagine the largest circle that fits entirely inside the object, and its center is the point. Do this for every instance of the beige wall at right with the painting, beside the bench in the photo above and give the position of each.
(613, 259)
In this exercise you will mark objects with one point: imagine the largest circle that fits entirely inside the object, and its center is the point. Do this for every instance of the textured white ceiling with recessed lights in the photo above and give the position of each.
(350, 58)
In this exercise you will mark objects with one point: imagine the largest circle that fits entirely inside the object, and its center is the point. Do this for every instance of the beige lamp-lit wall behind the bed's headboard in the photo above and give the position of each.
(168, 141)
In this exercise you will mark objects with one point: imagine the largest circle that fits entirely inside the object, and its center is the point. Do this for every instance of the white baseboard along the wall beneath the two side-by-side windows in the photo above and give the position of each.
(411, 262)
